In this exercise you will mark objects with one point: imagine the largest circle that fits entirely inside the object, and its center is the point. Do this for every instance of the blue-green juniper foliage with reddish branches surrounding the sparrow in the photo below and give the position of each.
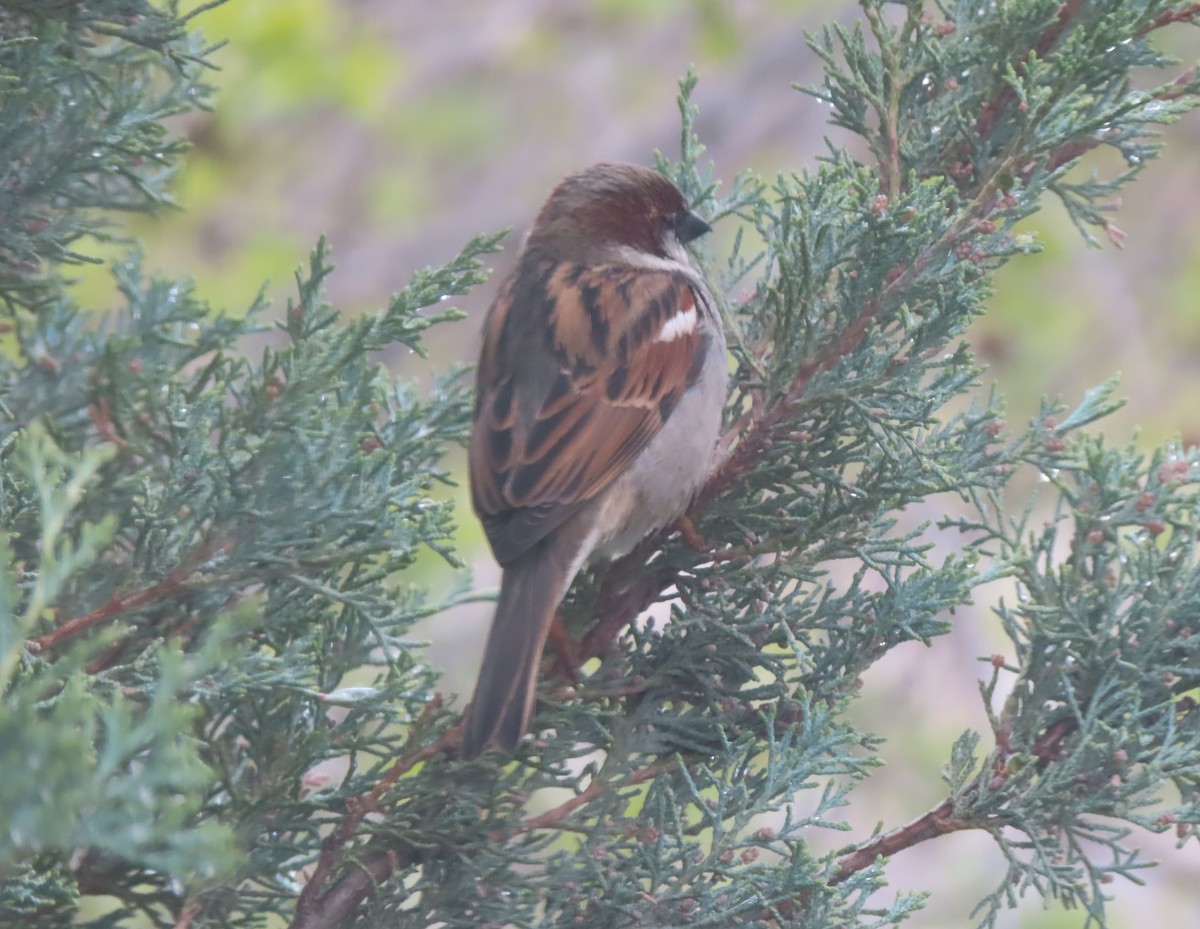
(214, 716)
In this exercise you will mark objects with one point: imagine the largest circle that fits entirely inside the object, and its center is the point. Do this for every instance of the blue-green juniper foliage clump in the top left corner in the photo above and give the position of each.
(83, 103)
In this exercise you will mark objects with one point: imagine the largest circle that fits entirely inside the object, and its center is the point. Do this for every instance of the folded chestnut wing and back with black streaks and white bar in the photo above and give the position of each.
(619, 350)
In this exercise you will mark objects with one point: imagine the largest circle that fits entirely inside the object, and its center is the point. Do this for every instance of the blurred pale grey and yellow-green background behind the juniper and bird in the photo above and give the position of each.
(401, 128)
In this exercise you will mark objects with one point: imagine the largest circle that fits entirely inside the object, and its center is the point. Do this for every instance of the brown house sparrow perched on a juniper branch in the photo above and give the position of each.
(599, 398)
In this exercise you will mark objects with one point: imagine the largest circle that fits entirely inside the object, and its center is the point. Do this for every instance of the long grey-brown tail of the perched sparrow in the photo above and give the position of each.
(502, 708)
